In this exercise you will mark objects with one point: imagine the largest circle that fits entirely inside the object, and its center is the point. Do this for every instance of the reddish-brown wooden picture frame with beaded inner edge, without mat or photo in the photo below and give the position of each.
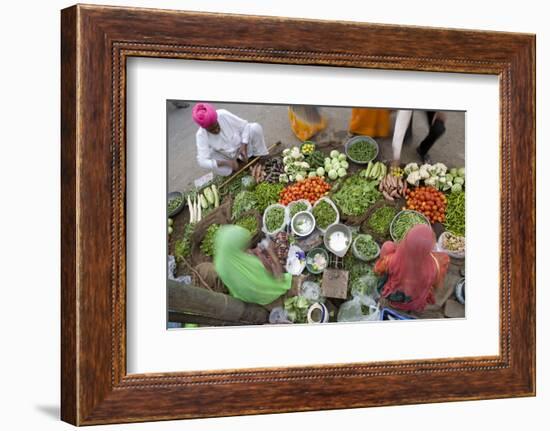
(95, 43)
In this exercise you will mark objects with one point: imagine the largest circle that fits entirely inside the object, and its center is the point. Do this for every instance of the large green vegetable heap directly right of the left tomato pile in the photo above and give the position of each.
(356, 195)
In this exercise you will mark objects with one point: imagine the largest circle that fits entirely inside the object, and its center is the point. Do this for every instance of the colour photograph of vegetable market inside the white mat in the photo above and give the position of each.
(282, 215)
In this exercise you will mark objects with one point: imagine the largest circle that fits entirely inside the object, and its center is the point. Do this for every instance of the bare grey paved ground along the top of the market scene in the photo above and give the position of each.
(182, 164)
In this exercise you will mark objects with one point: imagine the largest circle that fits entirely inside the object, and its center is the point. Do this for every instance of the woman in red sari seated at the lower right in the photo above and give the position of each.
(413, 270)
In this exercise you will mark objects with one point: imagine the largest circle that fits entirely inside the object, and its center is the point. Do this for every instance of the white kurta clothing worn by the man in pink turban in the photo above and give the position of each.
(234, 132)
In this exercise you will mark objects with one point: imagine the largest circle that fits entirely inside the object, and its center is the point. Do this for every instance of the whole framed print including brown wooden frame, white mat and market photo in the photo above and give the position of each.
(292, 208)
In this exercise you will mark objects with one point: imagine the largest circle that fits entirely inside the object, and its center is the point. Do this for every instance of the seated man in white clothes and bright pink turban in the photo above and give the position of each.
(223, 138)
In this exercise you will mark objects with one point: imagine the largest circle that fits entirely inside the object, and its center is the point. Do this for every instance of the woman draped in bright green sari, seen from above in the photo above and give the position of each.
(243, 273)
